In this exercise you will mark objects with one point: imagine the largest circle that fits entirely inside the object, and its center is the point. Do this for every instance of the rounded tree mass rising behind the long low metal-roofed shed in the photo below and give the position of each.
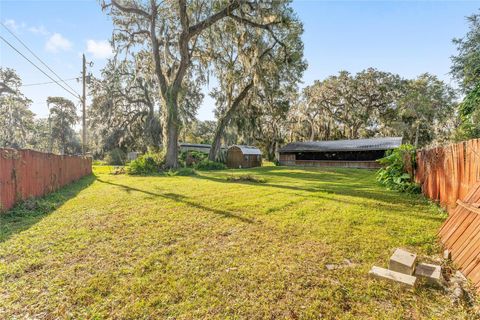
(374, 103)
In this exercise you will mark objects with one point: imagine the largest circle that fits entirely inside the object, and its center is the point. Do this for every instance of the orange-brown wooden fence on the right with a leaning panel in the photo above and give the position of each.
(451, 176)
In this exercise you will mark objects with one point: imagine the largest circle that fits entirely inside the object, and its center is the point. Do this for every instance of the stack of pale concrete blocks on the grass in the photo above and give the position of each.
(404, 269)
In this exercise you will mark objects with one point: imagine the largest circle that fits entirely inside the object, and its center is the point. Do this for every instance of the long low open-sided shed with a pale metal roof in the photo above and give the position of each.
(358, 153)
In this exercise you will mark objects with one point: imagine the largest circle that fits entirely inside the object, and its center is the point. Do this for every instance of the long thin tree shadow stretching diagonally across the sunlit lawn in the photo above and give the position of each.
(181, 198)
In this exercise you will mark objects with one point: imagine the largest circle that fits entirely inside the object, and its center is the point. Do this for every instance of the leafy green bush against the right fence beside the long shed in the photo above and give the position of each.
(397, 170)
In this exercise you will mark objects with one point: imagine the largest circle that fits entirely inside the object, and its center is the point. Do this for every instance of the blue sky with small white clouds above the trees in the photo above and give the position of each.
(404, 37)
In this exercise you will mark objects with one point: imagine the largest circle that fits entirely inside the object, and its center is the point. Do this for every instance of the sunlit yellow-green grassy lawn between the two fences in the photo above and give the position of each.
(204, 247)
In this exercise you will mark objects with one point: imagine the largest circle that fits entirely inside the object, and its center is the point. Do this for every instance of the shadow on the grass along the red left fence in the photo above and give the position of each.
(26, 214)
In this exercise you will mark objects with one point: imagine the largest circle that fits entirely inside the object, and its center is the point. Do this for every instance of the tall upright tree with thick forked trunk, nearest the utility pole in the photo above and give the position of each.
(178, 35)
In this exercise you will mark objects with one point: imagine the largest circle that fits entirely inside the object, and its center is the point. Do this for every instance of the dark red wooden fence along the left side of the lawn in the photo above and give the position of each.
(28, 173)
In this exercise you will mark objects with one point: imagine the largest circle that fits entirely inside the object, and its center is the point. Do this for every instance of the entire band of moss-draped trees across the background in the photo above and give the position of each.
(248, 56)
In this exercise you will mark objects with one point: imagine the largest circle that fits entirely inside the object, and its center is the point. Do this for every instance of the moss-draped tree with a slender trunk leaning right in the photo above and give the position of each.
(250, 65)
